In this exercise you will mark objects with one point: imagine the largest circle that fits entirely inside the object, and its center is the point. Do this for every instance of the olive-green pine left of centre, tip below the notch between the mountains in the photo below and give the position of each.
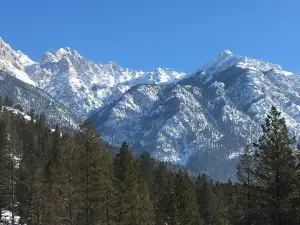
(96, 175)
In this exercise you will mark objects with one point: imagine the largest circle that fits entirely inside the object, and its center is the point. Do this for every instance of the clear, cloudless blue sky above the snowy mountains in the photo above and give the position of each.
(145, 34)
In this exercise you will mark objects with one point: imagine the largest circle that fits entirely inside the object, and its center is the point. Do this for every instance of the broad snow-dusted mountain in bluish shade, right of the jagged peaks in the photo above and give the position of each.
(203, 120)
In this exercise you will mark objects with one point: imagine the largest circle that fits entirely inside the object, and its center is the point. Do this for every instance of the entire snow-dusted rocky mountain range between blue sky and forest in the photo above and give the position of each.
(200, 120)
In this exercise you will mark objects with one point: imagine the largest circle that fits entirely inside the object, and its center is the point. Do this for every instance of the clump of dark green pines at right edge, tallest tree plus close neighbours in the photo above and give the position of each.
(269, 178)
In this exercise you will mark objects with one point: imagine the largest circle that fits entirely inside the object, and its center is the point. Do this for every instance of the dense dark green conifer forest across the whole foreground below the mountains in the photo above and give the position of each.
(53, 177)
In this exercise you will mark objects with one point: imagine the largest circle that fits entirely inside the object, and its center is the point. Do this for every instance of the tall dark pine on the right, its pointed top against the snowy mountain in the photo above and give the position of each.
(275, 169)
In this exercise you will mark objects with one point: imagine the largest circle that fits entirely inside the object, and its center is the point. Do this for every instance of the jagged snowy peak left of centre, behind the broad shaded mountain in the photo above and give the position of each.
(84, 86)
